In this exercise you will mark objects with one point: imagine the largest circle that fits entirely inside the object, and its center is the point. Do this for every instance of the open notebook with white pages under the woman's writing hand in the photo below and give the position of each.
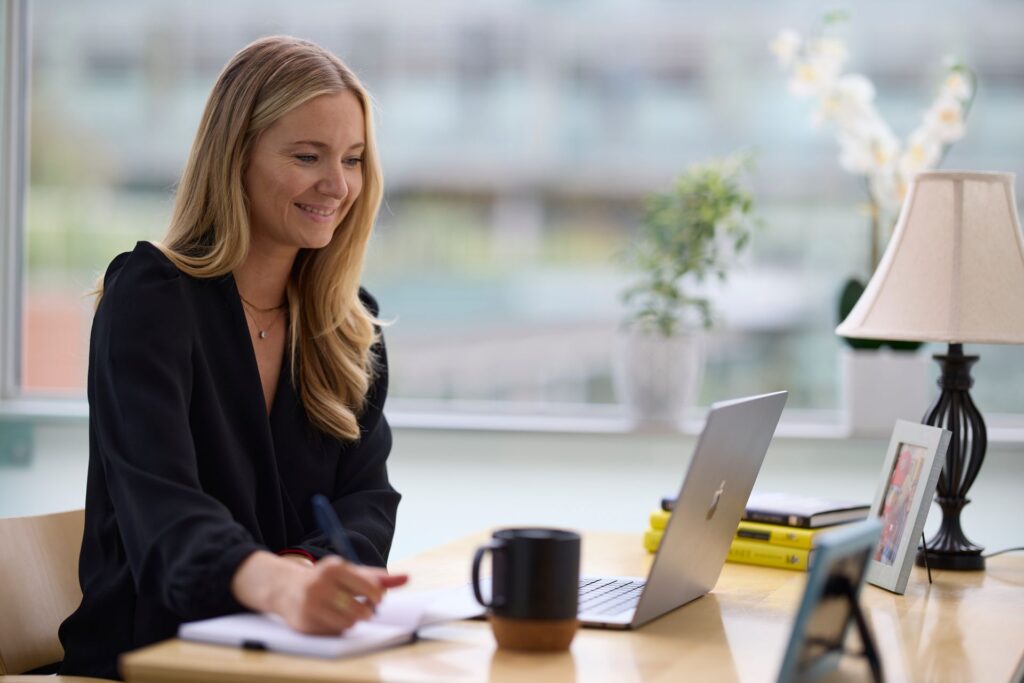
(399, 617)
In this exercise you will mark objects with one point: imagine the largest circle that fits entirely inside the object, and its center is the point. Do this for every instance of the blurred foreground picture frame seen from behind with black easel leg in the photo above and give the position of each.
(831, 604)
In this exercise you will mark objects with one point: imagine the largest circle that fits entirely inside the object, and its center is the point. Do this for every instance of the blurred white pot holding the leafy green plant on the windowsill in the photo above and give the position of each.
(658, 378)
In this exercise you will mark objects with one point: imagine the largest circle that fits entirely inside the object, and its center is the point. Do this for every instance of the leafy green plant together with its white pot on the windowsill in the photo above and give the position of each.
(689, 234)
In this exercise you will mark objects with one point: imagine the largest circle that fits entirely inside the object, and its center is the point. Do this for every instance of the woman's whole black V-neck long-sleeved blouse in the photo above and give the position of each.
(188, 473)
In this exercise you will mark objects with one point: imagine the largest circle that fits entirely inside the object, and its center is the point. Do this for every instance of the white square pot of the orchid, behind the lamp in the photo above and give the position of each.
(881, 387)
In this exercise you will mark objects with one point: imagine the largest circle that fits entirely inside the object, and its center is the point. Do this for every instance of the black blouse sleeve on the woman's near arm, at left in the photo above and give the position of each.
(183, 545)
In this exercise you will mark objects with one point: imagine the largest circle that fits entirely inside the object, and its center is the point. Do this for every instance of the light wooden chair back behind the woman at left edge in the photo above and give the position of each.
(38, 590)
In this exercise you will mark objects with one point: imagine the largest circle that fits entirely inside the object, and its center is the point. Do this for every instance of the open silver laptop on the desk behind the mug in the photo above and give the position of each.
(709, 508)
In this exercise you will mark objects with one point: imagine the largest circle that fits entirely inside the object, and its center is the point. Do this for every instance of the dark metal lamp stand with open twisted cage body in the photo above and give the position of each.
(950, 548)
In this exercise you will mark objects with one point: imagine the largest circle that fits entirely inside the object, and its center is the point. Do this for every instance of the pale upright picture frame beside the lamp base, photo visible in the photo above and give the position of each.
(903, 500)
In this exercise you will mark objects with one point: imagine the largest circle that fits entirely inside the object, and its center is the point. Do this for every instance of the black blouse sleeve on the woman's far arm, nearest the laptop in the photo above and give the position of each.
(364, 498)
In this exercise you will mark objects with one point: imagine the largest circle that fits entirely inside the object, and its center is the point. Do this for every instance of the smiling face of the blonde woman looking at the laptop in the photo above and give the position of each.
(305, 174)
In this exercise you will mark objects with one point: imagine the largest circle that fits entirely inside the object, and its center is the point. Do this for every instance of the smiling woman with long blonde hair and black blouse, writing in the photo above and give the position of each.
(236, 371)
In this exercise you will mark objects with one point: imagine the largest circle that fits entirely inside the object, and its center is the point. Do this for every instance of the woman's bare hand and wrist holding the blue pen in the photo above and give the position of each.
(325, 599)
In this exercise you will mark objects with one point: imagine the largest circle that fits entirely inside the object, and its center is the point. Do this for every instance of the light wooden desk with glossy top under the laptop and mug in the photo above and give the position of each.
(965, 627)
